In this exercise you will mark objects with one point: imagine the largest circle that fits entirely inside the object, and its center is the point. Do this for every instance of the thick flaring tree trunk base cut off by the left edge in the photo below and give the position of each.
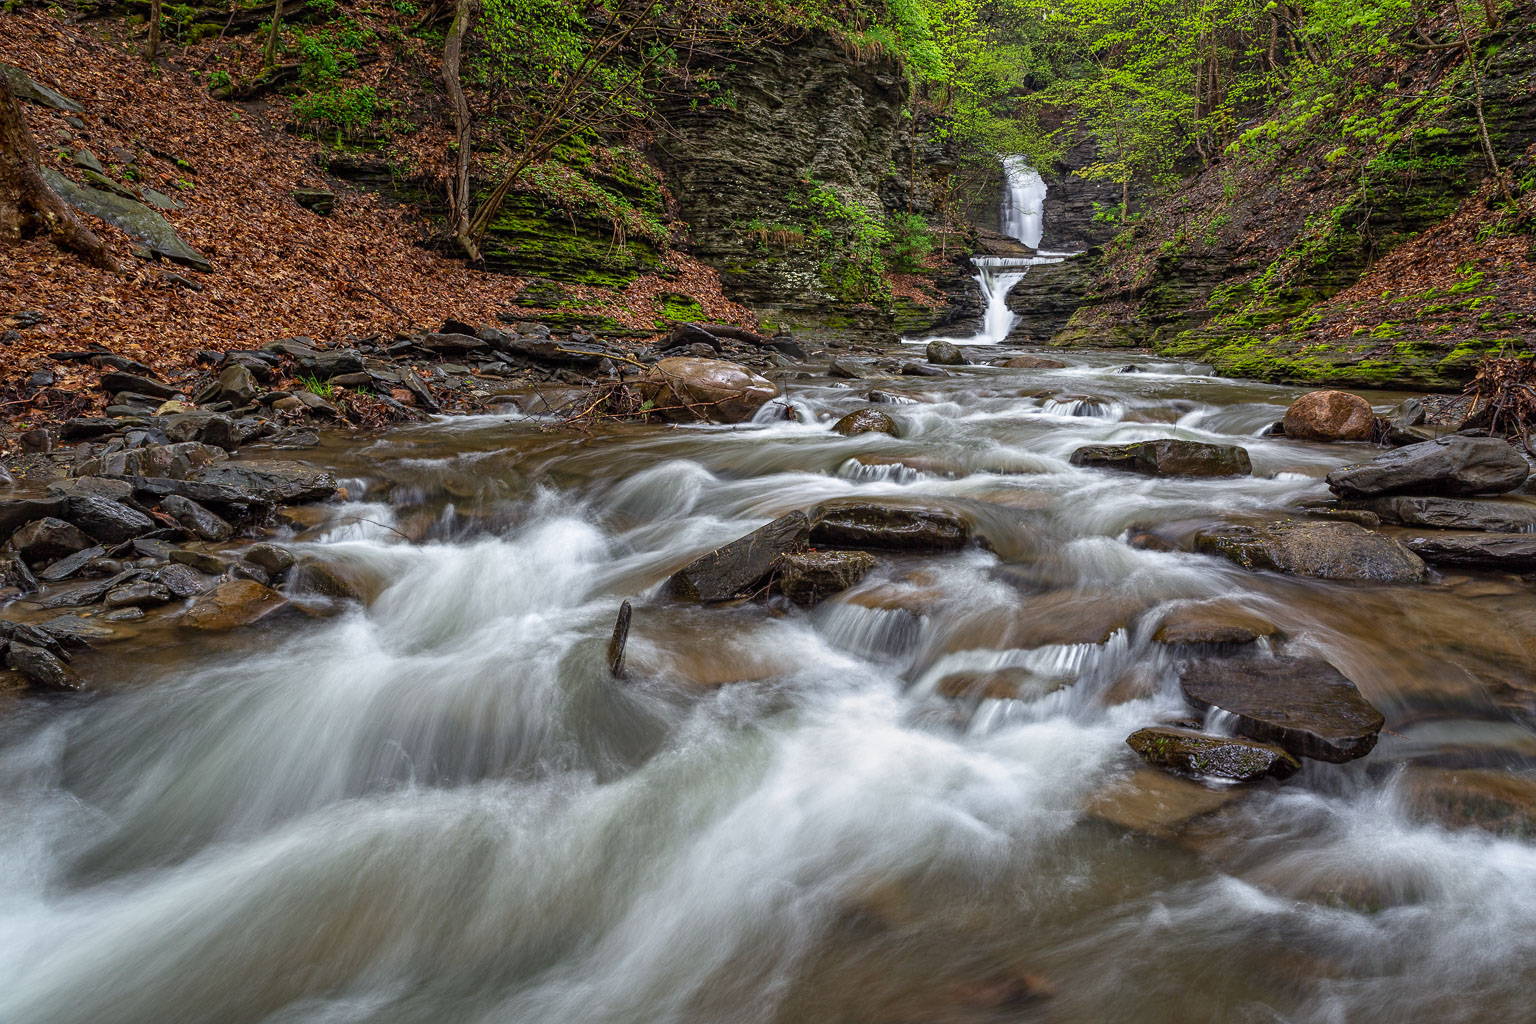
(27, 205)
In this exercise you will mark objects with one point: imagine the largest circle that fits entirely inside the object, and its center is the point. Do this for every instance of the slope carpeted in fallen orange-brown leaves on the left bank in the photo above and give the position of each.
(280, 271)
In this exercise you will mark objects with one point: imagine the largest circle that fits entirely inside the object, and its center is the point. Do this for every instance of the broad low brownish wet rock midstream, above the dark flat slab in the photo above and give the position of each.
(1325, 550)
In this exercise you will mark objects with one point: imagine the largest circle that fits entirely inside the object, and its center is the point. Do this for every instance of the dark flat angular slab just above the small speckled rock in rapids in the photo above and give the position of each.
(1303, 705)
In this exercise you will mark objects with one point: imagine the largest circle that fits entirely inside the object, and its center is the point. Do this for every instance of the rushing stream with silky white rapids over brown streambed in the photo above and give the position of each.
(440, 808)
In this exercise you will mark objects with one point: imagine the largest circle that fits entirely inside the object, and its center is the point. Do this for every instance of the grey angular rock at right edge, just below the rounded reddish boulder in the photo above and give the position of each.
(1446, 467)
